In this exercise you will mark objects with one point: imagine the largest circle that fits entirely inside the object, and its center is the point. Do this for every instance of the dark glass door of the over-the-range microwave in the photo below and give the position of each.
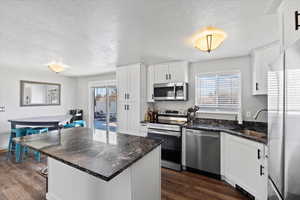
(164, 91)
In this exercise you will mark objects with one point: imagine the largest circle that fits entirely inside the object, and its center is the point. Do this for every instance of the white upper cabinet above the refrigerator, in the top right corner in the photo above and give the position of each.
(288, 22)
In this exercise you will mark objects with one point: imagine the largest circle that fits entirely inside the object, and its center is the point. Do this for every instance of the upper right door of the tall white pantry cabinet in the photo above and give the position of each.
(134, 84)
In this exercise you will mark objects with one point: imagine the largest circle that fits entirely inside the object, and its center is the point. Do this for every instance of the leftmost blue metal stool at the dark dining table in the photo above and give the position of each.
(16, 132)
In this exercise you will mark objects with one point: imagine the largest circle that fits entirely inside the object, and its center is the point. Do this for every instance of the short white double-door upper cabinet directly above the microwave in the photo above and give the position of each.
(171, 72)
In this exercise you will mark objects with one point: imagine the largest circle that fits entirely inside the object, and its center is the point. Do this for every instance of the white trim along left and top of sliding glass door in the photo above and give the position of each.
(91, 86)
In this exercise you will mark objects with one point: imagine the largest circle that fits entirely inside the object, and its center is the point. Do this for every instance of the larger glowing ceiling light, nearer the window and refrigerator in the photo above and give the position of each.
(209, 38)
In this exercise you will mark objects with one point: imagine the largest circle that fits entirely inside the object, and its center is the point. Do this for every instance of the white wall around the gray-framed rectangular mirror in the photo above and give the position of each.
(10, 97)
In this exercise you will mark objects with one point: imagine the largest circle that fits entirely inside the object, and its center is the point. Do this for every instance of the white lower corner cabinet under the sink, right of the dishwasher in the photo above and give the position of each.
(243, 163)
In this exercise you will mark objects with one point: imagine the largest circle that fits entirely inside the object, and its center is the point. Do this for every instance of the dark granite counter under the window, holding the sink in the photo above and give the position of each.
(260, 134)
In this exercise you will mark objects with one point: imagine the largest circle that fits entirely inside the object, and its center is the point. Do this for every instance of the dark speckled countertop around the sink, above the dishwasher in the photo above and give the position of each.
(233, 128)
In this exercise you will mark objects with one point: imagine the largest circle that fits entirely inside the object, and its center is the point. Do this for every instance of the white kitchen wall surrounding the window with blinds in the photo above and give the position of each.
(249, 102)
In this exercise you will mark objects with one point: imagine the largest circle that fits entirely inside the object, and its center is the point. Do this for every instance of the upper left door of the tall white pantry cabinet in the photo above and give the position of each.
(122, 83)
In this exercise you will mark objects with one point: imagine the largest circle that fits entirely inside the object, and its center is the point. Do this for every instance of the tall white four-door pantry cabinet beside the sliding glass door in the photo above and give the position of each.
(131, 85)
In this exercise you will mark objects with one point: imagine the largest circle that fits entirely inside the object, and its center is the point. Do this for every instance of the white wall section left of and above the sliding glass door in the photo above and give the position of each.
(83, 90)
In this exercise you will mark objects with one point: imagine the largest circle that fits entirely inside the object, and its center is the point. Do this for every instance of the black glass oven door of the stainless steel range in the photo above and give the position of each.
(171, 147)
